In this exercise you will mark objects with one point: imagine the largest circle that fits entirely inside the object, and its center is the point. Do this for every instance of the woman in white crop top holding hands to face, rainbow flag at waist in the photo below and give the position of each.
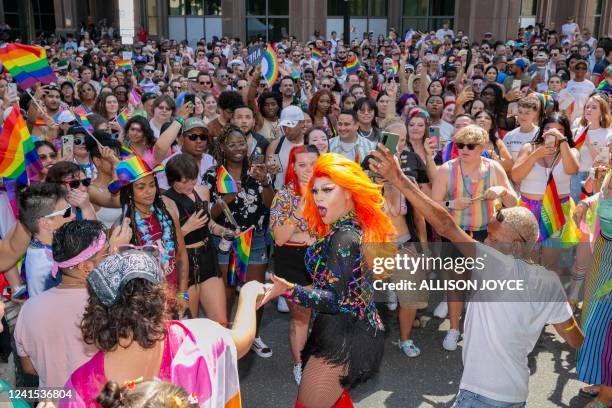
(551, 151)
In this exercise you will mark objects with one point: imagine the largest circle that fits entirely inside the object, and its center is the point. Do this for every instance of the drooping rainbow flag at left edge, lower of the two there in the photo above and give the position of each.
(17, 151)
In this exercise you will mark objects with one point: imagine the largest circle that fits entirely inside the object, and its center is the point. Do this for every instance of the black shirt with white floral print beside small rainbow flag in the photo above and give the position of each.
(247, 208)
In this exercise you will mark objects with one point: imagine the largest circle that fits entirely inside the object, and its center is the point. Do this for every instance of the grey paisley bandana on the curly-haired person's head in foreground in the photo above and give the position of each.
(113, 273)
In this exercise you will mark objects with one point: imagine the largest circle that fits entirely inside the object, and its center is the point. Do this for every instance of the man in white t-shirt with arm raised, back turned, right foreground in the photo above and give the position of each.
(502, 325)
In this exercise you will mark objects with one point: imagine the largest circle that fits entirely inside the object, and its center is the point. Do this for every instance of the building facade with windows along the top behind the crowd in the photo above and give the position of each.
(273, 19)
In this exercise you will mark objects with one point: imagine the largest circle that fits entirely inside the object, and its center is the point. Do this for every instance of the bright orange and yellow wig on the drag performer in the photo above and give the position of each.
(367, 198)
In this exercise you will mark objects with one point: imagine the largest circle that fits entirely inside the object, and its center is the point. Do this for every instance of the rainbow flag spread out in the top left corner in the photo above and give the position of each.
(27, 64)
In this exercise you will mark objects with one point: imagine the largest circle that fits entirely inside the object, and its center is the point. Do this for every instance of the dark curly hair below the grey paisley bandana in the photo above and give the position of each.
(140, 314)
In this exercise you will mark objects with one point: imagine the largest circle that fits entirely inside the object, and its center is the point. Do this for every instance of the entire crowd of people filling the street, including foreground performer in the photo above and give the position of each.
(124, 239)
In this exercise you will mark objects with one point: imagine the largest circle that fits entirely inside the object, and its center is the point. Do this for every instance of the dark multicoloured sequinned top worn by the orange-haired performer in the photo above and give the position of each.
(342, 282)
